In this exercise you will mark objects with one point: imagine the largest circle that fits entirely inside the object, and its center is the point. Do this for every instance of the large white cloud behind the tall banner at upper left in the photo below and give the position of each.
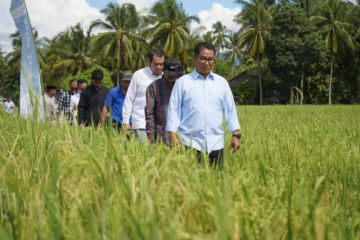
(49, 17)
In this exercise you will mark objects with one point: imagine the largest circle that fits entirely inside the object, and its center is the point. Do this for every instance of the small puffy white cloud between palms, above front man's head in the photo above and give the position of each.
(218, 13)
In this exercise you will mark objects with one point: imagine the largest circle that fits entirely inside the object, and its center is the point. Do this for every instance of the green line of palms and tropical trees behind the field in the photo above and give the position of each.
(301, 51)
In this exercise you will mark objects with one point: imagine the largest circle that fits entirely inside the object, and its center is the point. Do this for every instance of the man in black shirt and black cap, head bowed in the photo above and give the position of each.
(92, 101)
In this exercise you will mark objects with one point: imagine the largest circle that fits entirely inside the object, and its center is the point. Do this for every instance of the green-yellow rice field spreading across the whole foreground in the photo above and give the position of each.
(296, 176)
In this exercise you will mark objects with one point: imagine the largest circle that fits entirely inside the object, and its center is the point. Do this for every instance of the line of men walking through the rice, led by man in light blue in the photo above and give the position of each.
(159, 103)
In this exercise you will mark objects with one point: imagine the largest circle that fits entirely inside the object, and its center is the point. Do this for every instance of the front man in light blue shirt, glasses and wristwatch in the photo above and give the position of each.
(198, 104)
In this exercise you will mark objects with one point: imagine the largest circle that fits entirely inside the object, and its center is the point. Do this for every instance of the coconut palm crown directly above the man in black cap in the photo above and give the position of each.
(170, 28)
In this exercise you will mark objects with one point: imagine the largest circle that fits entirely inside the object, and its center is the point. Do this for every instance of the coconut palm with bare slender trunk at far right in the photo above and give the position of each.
(335, 31)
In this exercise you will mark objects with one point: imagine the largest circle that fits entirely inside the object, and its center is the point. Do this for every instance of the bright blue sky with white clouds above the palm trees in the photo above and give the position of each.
(50, 17)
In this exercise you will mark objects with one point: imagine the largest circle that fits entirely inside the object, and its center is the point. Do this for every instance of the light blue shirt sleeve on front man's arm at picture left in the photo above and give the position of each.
(174, 109)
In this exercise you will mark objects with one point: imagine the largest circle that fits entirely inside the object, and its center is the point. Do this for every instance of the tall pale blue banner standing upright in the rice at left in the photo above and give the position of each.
(31, 98)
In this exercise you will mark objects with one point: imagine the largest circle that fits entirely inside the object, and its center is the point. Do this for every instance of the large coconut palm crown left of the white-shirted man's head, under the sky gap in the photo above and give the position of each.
(117, 44)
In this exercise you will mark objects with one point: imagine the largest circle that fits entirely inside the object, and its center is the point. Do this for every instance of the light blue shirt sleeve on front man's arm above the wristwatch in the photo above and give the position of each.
(231, 116)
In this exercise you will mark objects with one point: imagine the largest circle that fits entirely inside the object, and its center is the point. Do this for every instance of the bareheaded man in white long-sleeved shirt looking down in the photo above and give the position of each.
(135, 100)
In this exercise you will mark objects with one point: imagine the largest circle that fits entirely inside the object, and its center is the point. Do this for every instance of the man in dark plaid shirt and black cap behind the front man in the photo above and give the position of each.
(157, 100)
